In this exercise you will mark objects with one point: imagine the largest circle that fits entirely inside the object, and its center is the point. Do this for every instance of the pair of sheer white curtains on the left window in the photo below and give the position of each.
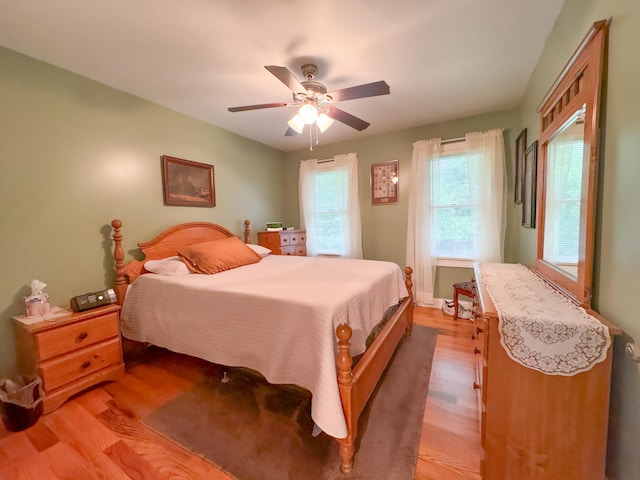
(348, 195)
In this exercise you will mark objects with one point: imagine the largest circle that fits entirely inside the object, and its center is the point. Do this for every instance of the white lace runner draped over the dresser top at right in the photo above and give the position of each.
(540, 328)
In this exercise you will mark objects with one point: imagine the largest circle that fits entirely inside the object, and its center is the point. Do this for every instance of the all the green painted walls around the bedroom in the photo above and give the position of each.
(75, 154)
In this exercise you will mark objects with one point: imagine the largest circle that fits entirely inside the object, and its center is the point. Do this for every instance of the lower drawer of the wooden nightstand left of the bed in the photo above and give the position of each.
(69, 368)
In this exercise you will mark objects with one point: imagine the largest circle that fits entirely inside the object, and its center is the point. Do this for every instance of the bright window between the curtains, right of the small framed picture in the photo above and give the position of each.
(454, 203)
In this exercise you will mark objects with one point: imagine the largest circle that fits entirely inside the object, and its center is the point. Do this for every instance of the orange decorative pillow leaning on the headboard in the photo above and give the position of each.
(218, 255)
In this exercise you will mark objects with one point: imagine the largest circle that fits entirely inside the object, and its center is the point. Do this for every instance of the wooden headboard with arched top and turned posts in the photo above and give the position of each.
(166, 244)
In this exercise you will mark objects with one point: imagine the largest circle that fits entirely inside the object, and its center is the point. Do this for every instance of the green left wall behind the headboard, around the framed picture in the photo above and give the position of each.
(75, 154)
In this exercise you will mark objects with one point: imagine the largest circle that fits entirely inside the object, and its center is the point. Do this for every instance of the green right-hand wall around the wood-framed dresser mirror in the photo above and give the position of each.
(617, 246)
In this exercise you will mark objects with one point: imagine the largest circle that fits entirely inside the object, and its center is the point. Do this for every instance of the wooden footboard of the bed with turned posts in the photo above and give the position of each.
(357, 384)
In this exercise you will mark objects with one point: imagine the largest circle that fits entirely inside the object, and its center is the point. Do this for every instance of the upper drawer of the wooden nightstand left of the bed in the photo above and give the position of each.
(51, 343)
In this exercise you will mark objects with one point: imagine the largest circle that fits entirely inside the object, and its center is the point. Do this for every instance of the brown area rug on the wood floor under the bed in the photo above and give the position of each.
(256, 431)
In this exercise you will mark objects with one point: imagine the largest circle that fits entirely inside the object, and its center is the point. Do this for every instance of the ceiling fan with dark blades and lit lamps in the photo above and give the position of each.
(315, 103)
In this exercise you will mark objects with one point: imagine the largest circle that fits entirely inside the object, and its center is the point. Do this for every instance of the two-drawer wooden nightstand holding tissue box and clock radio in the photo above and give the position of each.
(71, 353)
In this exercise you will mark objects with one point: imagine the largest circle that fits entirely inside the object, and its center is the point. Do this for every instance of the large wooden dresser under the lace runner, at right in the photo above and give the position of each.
(536, 426)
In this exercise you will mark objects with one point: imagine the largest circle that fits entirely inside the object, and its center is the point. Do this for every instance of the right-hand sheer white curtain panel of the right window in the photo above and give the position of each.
(487, 149)
